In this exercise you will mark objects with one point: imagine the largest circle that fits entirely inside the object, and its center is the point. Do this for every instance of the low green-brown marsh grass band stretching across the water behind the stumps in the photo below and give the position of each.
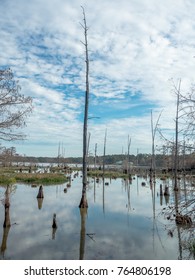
(58, 175)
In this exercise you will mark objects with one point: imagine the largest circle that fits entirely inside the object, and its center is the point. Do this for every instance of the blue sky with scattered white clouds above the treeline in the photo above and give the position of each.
(137, 50)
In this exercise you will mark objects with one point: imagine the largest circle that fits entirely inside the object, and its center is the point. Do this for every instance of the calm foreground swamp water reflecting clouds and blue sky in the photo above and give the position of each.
(123, 221)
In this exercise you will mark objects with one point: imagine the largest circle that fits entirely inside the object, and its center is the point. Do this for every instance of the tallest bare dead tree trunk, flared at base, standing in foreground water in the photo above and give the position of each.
(83, 202)
